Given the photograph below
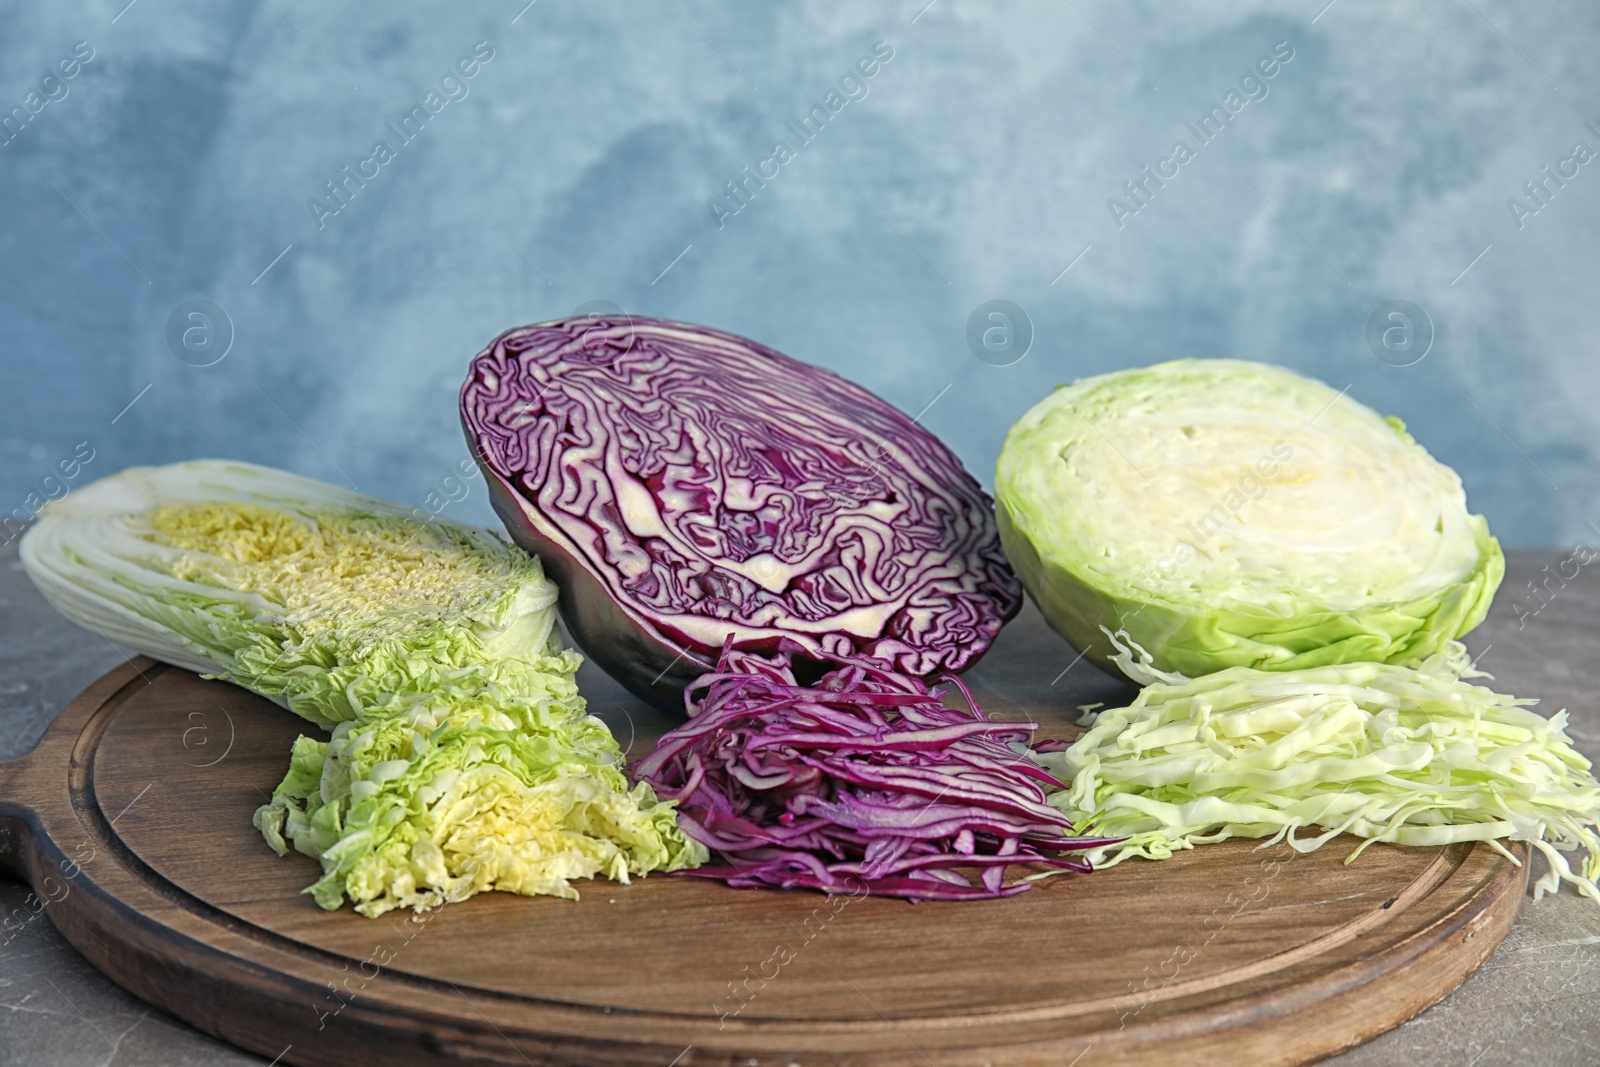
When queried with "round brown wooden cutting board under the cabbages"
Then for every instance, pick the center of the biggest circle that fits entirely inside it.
(132, 823)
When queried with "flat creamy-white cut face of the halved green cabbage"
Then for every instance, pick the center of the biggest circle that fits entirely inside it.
(1239, 482)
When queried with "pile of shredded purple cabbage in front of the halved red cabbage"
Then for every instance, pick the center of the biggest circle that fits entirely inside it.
(865, 783)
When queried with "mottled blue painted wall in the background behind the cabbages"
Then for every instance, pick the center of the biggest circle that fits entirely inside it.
(583, 162)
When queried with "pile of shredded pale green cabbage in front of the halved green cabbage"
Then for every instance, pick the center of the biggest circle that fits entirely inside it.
(1378, 751)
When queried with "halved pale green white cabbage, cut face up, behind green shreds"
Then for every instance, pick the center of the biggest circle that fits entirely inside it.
(1238, 514)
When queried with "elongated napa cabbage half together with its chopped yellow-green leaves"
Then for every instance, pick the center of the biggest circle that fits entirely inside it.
(462, 756)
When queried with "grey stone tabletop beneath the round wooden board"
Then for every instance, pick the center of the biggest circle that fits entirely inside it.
(1534, 1004)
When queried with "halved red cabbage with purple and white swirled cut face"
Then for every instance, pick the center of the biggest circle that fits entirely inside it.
(689, 487)
